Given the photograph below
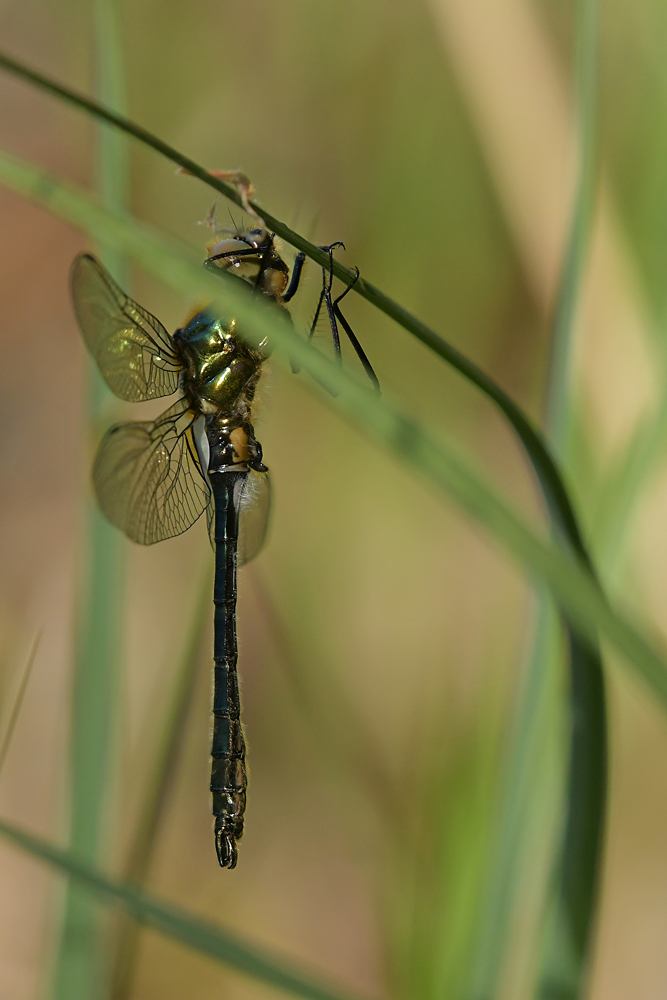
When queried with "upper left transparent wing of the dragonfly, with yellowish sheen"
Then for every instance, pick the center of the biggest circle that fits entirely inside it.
(134, 352)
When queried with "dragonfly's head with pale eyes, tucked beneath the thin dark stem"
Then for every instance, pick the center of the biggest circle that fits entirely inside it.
(252, 256)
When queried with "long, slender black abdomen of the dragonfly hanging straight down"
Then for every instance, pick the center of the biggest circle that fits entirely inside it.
(228, 776)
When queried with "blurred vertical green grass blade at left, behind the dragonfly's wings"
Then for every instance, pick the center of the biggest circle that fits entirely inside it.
(81, 963)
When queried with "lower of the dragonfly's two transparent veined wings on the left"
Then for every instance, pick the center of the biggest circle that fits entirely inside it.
(148, 479)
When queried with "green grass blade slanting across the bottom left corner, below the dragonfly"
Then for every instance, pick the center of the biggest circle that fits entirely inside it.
(203, 936)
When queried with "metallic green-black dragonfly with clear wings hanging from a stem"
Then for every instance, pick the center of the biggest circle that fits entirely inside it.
(154, 479)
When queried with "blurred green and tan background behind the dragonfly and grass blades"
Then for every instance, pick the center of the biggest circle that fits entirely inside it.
(384, 640)
